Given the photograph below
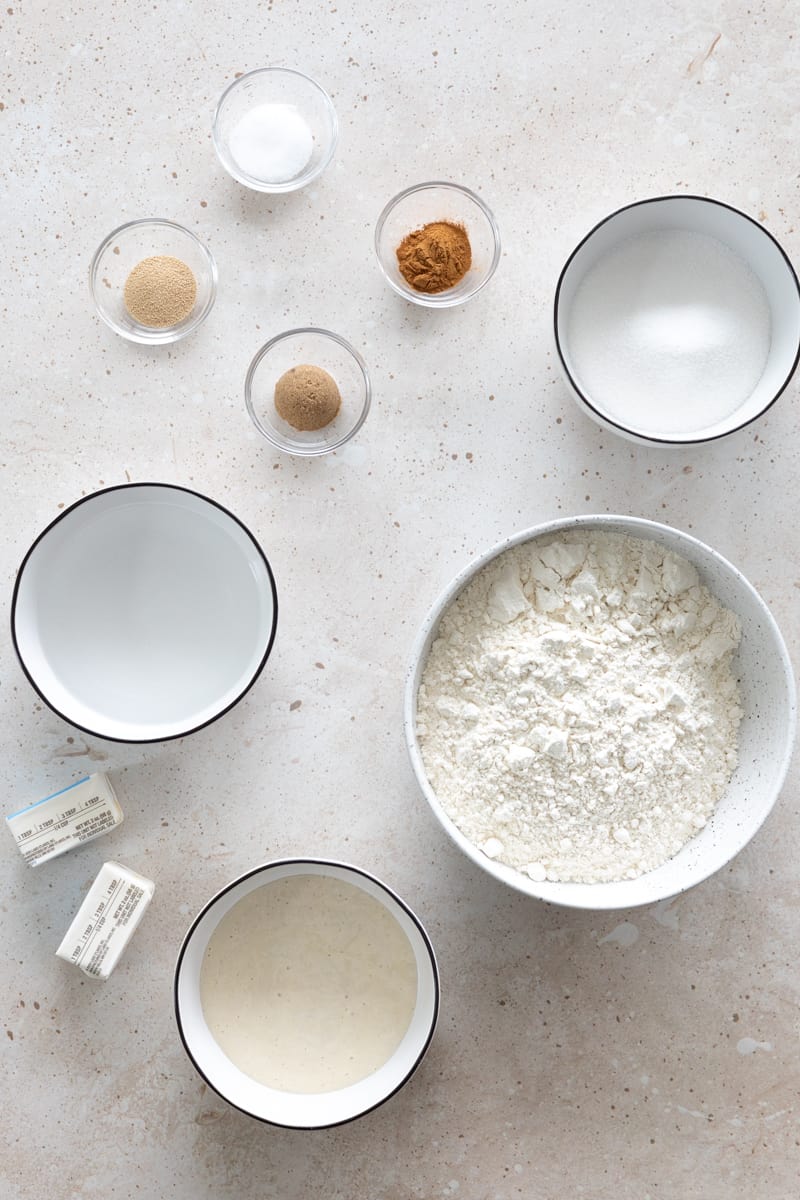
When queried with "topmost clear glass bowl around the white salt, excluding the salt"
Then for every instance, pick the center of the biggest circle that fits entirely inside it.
(276, 86)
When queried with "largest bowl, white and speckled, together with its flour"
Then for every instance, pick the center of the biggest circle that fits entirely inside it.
(600, 711)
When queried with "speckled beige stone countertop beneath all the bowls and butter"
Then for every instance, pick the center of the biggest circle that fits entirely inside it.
(651, 1054)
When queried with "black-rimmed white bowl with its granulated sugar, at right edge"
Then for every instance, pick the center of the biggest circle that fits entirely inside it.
(677, 321)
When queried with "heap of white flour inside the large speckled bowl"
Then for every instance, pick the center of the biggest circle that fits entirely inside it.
(578, 713)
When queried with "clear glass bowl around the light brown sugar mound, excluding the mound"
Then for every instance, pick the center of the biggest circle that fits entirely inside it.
(312, 347)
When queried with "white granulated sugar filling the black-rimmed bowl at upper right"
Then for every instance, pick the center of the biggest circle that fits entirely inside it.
(670, 333)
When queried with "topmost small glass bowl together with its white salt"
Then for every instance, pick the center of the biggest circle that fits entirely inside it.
(275, 130)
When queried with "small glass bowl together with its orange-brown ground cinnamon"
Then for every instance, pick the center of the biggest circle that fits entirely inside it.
(437, 244)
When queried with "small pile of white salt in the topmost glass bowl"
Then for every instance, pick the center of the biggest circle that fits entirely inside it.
(272, 143)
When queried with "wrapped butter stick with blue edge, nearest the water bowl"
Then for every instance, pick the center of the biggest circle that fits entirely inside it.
(76, 814)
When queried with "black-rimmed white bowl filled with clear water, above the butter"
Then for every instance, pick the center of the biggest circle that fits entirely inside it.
(143, 613)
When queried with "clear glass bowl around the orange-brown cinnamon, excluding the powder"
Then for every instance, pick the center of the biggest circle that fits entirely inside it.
(418, 207)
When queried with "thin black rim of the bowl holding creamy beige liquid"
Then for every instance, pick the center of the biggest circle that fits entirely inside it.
(310, 862)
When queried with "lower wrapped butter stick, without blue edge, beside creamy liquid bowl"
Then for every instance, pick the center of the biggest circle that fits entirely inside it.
(106, 921)
